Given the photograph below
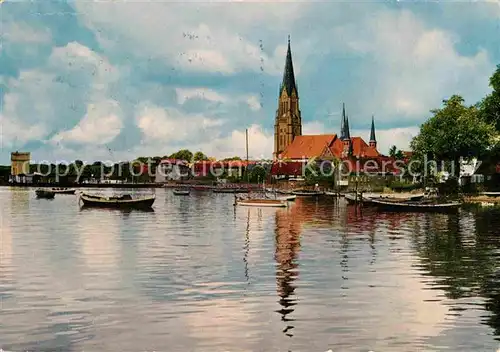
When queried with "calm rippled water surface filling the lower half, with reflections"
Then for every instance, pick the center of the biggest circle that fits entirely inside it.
(198, 274)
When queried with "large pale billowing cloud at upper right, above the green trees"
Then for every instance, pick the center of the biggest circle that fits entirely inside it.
(413, 66)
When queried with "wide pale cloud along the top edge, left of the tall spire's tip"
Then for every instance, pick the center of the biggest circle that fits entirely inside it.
(201, 37)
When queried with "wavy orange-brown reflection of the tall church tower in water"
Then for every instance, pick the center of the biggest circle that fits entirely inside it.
(287, 238)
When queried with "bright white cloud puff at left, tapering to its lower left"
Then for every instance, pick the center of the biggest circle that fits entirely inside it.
(100, 125)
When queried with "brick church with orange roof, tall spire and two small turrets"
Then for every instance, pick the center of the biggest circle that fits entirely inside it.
(291, 145)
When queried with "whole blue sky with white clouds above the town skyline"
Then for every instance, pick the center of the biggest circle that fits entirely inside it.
(115, 80)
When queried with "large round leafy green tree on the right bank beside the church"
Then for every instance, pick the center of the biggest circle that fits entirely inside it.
(452, 132)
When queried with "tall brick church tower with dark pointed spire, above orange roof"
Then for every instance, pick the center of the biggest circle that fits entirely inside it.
(288, 121)
